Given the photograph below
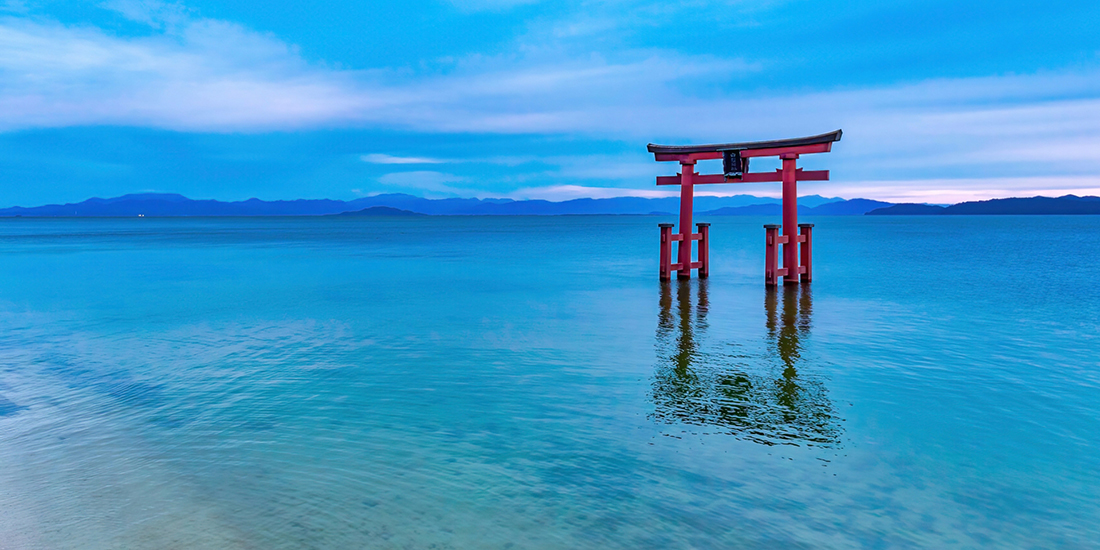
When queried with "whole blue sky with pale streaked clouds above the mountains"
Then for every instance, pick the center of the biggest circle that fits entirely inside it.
(941, 102)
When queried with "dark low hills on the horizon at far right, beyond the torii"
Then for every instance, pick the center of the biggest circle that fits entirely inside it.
(1066, 205)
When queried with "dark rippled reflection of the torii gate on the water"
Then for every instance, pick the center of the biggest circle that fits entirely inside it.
(731, 395)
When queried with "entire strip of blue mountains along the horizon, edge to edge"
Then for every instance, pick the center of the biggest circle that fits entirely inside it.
(168, 205)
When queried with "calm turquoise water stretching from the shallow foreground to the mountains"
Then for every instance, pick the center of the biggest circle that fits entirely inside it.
(529, 383)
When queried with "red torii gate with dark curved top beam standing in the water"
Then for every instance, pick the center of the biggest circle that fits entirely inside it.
(736, 170)
